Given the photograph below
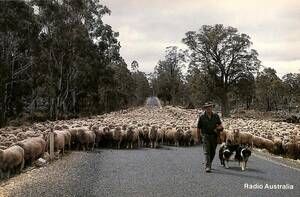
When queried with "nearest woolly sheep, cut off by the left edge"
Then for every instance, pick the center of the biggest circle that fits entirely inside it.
(11, 160)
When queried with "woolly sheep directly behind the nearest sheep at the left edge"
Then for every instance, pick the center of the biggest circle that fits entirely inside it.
(34, 148)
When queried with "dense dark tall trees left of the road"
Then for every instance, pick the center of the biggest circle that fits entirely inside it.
(59, 60)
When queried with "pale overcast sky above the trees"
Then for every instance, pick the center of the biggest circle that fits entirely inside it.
(147, 27)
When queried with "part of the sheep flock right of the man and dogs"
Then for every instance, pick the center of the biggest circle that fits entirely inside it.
(279, 138)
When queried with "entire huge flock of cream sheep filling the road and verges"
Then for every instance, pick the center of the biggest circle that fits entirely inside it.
(134, 128)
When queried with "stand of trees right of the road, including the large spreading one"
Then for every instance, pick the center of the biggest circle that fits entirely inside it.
(221, 67)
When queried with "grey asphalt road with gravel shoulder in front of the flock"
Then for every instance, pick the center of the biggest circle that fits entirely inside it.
(167, 171)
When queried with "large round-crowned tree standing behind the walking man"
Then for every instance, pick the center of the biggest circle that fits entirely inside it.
(223, 54)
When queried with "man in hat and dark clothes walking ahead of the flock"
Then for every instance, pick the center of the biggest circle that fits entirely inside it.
(209, 125)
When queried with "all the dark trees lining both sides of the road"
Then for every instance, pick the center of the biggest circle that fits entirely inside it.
(59, 60)
